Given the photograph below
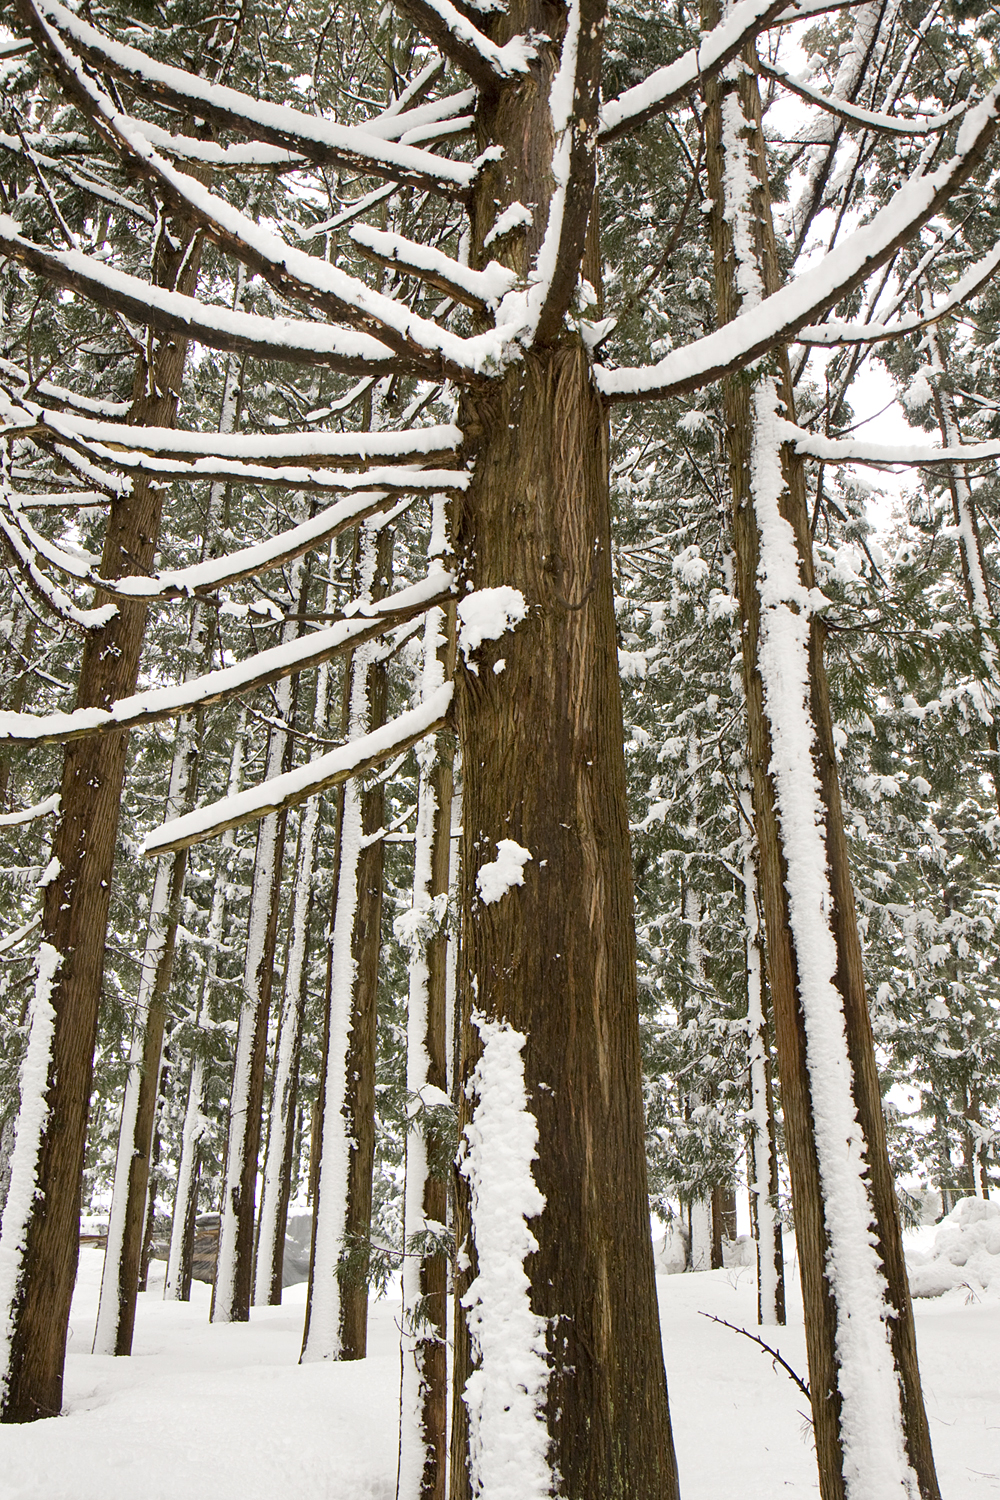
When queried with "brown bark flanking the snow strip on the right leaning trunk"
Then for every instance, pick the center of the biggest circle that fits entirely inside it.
(821, 1313)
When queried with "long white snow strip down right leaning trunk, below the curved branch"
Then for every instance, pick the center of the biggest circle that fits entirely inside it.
(875, 1456)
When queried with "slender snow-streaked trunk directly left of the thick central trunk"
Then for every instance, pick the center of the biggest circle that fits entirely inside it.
(424, 1436)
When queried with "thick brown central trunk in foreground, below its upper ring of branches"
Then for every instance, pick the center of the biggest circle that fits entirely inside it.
(552, 961)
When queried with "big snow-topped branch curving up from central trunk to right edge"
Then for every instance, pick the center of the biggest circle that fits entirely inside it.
(780, 317)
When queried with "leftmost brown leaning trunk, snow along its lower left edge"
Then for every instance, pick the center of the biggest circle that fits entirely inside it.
(41, 1225)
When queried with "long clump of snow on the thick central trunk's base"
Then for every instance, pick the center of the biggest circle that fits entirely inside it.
(509, 1438)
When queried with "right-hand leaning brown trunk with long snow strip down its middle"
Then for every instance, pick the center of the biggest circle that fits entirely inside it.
(870, 1427)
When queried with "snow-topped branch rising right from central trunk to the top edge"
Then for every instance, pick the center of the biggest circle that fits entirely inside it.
(669, 85)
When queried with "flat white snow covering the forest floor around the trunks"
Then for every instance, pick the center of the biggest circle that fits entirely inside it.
(226, 1412)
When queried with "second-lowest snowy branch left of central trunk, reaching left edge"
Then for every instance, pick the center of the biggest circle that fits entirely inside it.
(364, 623)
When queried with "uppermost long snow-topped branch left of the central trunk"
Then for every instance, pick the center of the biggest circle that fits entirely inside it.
(320, 142)
